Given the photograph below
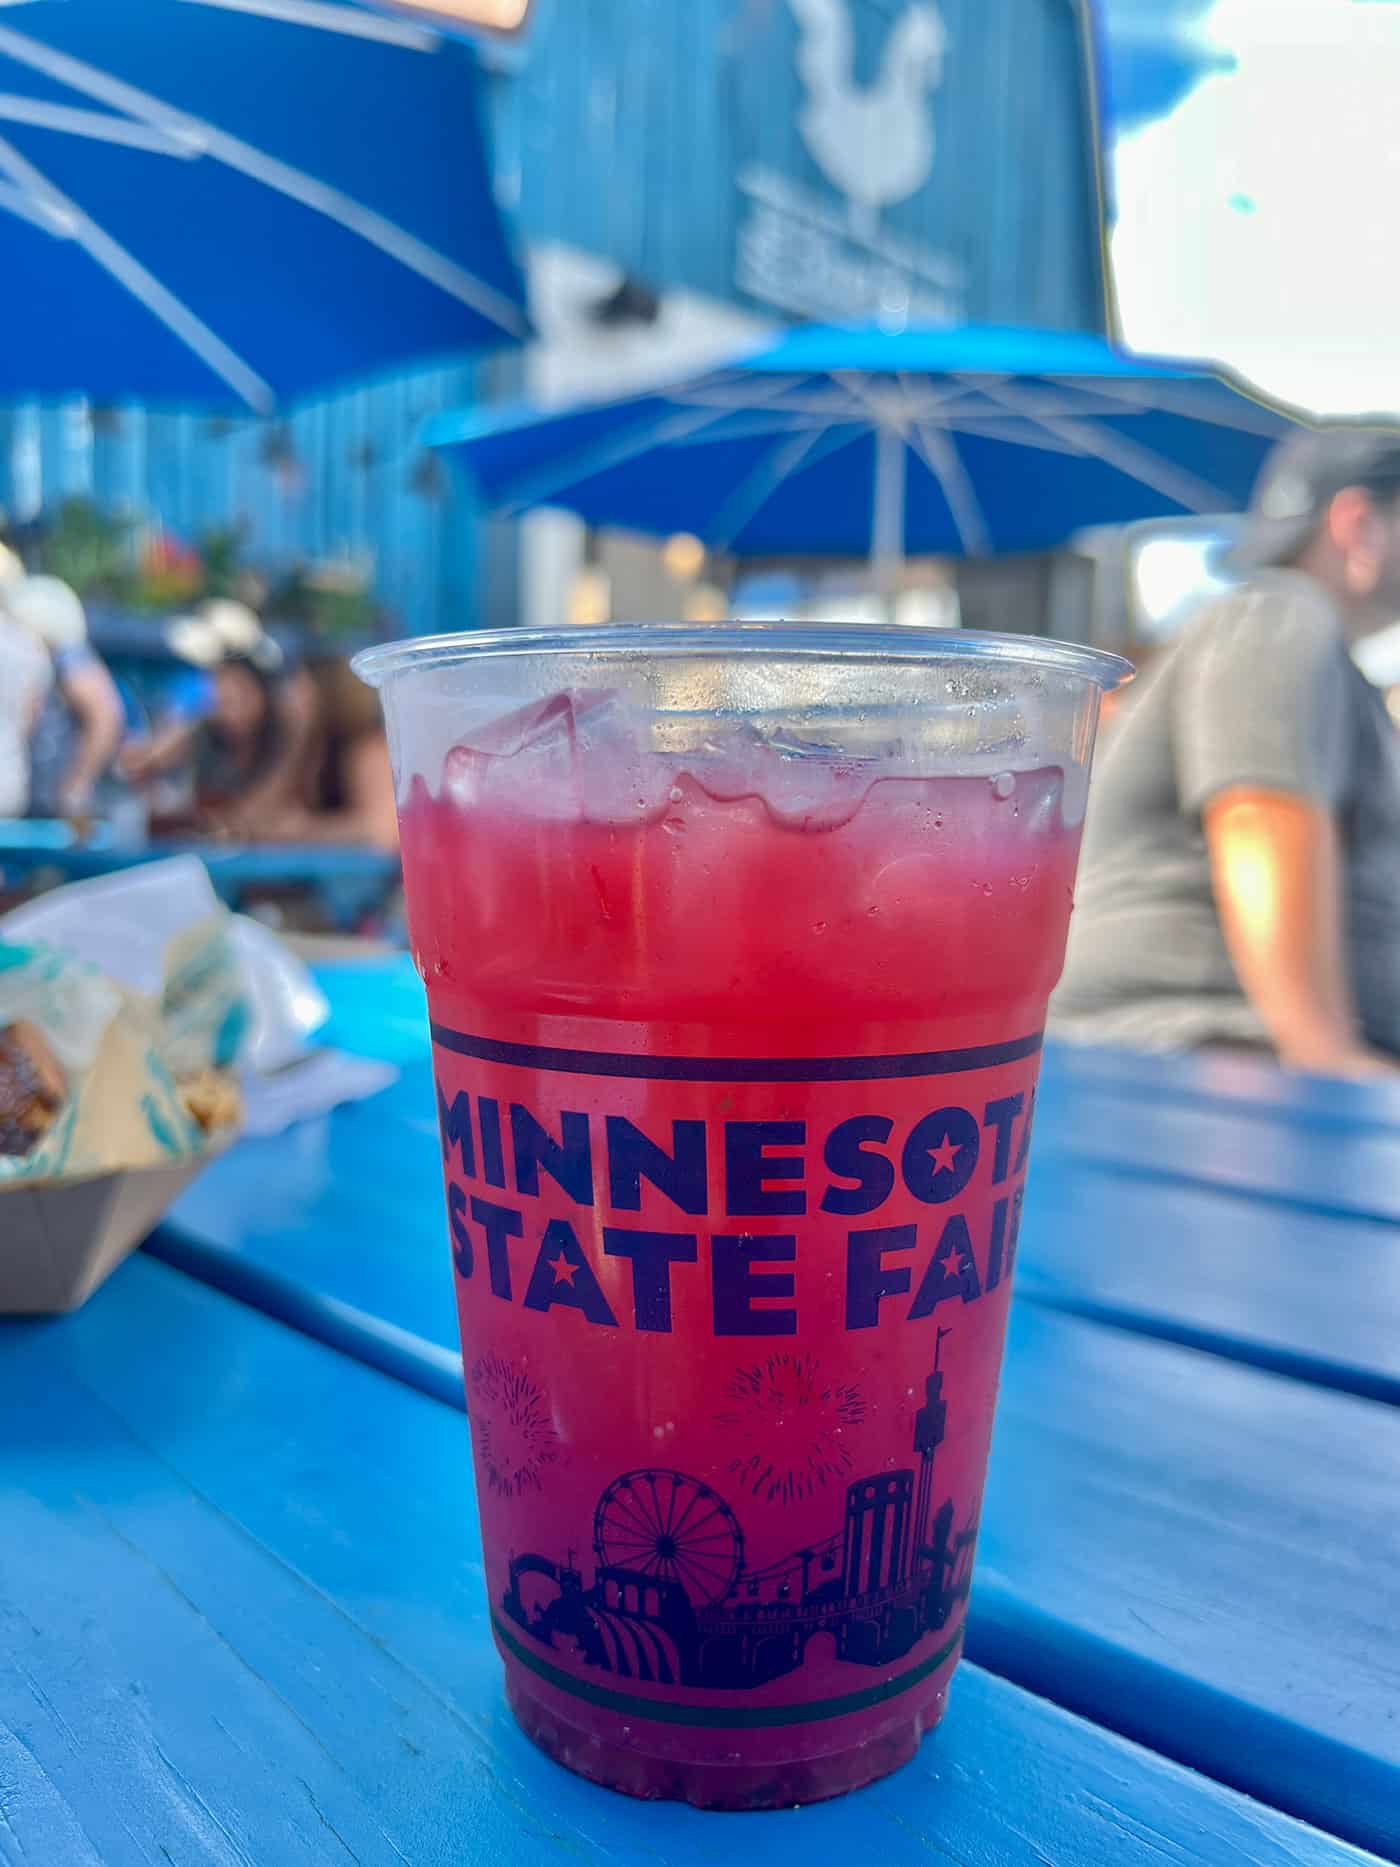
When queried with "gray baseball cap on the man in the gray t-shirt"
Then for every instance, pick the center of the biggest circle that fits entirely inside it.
(1302, 479)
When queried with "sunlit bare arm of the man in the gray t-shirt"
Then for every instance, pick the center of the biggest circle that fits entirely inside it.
(1278, 875)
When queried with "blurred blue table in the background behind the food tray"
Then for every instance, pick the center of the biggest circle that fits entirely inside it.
(350, 880)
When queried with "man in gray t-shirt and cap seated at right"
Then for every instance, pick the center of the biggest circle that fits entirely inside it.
(1240, 878)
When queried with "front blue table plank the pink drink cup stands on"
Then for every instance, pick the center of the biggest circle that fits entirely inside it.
(242, 1623)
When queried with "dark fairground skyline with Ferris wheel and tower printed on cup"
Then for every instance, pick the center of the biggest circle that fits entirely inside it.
(673, 1599)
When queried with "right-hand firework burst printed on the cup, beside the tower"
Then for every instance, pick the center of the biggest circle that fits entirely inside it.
(789, 1424)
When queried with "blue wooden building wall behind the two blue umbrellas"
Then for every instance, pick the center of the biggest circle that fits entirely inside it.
(656, 137)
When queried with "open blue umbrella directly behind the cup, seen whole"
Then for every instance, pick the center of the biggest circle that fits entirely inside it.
(858, 443)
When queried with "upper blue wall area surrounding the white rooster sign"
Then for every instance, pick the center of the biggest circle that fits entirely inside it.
(679, 105)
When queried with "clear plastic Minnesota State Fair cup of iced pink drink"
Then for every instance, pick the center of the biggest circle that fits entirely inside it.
(738, 946)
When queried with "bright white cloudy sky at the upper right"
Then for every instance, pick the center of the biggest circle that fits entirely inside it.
(1259, 223)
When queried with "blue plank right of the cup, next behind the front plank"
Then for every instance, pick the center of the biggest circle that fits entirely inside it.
(1207, 1558)
